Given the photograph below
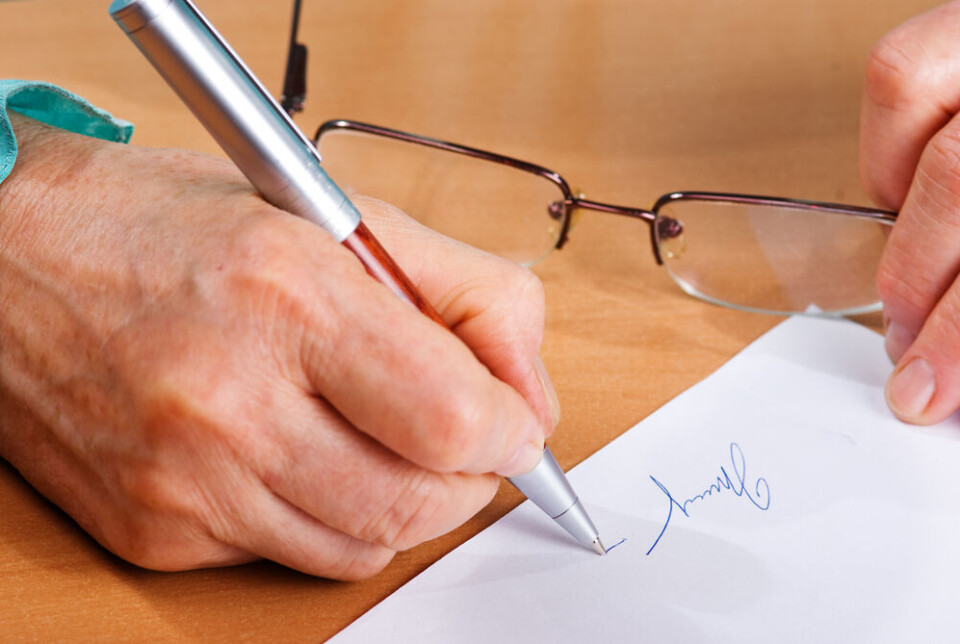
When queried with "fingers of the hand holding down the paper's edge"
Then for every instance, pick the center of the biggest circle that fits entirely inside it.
(910, 161)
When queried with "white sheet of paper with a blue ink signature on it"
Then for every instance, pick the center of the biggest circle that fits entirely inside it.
(829, 521)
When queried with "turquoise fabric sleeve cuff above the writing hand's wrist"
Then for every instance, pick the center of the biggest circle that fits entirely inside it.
(54, 106)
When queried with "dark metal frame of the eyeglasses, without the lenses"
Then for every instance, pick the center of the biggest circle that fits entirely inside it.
(661, 227)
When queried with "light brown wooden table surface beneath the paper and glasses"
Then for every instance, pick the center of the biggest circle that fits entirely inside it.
(627, 98)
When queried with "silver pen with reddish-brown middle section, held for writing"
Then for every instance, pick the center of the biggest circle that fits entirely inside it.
(284, 166)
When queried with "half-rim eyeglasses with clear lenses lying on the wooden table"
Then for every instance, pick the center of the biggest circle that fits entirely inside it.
(754, 253)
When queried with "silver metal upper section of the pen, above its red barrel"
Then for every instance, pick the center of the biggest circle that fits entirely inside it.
(234, 107)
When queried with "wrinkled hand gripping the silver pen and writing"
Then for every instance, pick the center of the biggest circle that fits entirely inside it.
(200, 379)
